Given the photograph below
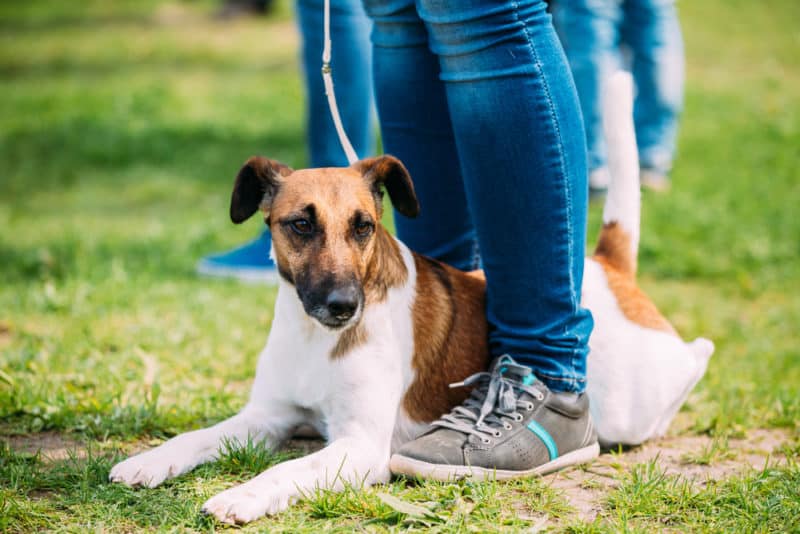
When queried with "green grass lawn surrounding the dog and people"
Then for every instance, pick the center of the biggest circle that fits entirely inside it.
(122, 125)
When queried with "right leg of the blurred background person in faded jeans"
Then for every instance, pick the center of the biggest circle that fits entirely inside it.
(652, 31)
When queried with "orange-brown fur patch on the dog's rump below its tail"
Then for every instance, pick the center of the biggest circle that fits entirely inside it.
(633, 302)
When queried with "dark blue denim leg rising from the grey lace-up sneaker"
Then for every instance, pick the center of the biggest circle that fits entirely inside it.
(521, 145)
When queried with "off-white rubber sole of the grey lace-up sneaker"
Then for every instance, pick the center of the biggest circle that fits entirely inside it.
(403, 465)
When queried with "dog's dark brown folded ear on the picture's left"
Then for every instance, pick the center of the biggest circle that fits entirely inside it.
(255, 187)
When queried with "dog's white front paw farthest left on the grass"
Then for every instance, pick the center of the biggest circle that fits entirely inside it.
(149, 468)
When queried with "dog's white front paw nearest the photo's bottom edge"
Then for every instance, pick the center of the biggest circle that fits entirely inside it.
(246, 503)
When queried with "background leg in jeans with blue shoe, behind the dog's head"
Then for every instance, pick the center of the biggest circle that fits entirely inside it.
(353, 81)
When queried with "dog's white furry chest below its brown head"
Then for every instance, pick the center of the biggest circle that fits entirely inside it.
(299, 366)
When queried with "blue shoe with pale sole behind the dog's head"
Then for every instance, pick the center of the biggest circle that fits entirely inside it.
(248, 263)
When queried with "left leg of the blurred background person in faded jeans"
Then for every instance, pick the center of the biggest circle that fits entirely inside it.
(588, 30)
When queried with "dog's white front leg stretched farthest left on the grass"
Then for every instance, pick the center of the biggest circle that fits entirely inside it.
(184, 452)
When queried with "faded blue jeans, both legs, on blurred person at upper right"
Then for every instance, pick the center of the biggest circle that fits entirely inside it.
(592, 32)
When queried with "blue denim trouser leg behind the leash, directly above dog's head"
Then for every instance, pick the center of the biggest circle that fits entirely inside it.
(352, 78)
